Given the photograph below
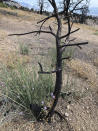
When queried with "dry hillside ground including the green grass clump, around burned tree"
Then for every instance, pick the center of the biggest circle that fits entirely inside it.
(19, 75)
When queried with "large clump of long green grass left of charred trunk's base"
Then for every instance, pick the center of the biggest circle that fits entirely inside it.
(24, 87)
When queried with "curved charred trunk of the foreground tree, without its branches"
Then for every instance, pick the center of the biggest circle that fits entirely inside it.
(58, 84)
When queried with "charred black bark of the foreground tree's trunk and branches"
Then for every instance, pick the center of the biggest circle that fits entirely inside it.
(59, 48)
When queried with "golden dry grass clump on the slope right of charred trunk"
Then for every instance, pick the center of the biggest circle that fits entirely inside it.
(83, 70)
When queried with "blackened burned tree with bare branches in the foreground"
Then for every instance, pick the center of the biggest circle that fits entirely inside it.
(69, 6)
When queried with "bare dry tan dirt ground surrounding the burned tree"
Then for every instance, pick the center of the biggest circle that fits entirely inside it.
(82, 111)
